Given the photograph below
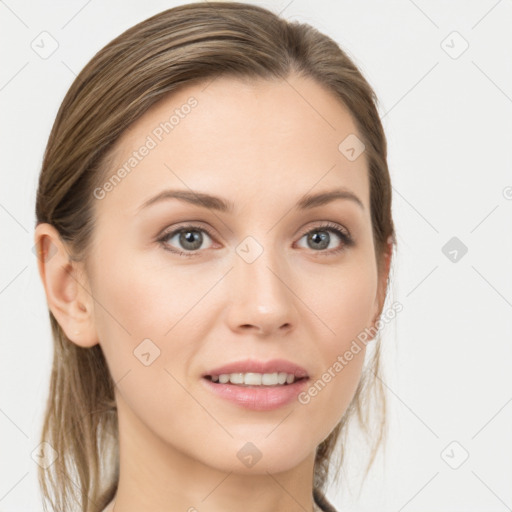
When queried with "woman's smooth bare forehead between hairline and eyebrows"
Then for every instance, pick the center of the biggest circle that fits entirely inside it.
(245, 139)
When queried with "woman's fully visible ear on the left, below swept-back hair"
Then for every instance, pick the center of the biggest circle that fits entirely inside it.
(66, 287)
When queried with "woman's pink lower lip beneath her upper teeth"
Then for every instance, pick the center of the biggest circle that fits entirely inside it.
(260, 398)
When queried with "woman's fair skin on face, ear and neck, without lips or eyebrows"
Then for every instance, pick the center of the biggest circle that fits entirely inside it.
(263, 145)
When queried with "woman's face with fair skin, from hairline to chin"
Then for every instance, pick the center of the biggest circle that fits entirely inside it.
(263, 280)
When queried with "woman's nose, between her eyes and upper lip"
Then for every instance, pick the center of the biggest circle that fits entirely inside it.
(262, 298)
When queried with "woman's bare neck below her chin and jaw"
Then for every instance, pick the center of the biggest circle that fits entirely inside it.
(156, 476)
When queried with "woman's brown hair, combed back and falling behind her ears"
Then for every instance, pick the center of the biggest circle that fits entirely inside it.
(175, 48)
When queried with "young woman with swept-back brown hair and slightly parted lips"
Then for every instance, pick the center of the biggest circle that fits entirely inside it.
(215, 231)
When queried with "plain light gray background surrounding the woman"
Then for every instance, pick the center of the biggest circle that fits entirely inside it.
(448, 119)
